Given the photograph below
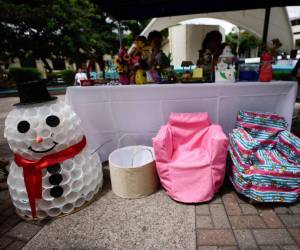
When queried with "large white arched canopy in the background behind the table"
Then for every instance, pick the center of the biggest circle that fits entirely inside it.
(251, 20)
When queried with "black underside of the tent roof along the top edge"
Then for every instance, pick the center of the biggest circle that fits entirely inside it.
(142, 9)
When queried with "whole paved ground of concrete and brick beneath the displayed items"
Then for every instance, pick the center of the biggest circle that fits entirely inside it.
(155, 222)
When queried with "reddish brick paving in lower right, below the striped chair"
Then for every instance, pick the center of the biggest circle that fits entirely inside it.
(230, 222)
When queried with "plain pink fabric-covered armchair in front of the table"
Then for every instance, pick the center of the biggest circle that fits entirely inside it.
(190, 156)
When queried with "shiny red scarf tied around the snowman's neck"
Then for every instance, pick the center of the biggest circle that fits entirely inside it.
(32, 170)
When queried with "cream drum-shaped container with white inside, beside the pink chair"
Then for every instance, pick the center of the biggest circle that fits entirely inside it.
(133, 171)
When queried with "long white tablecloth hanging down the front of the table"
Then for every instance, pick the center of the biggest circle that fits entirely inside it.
(131, 115)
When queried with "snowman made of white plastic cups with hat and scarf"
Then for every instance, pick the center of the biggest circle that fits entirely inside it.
(53, 172)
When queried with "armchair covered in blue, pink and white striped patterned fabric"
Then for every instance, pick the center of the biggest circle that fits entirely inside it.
(265, 158)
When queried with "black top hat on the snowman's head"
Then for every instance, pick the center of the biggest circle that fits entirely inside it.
(33, 92)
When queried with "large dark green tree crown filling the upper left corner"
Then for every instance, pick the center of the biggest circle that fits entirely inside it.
(71, 29)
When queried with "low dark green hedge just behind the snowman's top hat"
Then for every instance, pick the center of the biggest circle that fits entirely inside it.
(24, 74)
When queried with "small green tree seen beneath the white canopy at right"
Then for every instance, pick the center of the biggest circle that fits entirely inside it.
(247, 41)
